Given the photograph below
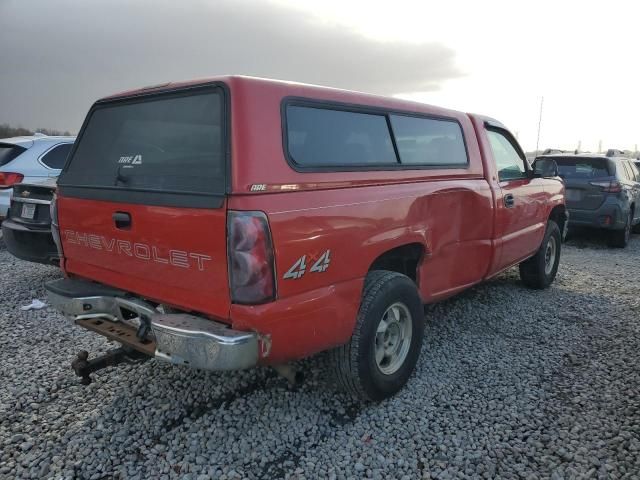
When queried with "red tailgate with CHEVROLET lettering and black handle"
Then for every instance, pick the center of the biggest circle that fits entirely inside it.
(175, 256)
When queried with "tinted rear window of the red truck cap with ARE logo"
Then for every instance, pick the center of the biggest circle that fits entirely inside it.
(171, 143)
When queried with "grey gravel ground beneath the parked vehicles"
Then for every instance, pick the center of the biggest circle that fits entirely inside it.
(510, 383)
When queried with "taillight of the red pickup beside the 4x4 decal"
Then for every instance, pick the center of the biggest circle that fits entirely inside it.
(251, 269)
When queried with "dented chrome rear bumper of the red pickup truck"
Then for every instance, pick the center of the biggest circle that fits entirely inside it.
(176, 338)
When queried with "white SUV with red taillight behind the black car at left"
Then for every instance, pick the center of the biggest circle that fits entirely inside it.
(31, 159)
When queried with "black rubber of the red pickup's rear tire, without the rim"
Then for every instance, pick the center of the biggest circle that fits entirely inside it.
(354, 364)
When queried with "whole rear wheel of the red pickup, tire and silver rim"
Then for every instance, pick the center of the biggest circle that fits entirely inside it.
(386, 342)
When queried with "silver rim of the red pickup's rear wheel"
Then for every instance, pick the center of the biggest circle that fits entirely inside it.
(393, 338)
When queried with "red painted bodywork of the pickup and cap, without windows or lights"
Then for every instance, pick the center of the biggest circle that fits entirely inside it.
(458, 216)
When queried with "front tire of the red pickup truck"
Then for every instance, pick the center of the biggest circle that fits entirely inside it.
(533, 271)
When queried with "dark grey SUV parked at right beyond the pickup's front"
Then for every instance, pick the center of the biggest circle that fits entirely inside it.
(602, 191)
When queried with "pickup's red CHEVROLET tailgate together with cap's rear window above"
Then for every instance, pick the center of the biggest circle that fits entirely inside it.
(142, 204)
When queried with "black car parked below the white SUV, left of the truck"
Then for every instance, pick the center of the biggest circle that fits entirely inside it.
(27, 228)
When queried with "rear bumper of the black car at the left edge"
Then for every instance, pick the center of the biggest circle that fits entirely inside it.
(31, 244)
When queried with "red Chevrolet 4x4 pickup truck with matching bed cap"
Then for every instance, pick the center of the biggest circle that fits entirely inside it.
(236, 221)
